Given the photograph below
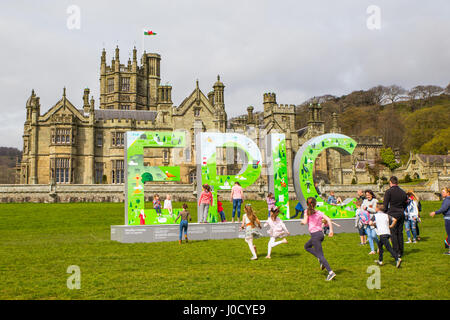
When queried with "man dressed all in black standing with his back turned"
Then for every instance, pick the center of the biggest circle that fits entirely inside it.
(395, 202)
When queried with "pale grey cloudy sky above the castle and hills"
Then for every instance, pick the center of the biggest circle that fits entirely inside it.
(296, 49)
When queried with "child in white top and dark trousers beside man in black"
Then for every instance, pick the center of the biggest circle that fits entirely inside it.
(381, 220)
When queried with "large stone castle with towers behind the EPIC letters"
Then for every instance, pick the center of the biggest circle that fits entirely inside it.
(84, 145)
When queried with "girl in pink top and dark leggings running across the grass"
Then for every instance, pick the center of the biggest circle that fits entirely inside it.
(314, 218)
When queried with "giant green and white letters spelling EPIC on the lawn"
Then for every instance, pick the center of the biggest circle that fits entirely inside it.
(207, 144)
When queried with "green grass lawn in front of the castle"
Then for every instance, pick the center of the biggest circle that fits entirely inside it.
(39, 242)
